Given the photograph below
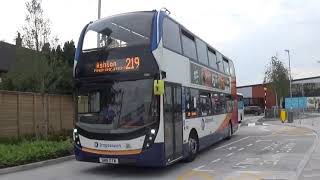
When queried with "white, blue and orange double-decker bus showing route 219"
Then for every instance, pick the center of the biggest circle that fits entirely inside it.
(149, 92)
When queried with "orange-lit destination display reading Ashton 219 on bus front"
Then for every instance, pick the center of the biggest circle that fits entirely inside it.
(118, 65)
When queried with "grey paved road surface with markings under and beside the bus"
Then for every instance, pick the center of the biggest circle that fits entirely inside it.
(259, 150)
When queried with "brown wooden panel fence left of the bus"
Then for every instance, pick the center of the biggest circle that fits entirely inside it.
(31, 113)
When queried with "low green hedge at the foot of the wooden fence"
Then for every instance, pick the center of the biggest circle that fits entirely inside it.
(32, 149)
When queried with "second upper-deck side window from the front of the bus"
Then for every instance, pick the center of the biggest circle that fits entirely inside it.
(188, 44)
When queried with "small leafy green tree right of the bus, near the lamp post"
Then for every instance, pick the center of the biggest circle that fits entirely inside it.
(277, 78)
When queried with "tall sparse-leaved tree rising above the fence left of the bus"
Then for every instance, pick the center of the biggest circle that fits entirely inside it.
(36, 31)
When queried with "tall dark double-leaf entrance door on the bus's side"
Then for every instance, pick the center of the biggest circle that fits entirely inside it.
(172, 122)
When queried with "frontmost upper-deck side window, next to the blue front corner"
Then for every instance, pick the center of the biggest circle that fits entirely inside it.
(171, 35)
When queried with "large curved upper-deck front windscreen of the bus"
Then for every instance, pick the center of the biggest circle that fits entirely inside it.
(119, 31)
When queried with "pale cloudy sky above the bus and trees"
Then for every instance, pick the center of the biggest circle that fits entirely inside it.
(249, 32)
